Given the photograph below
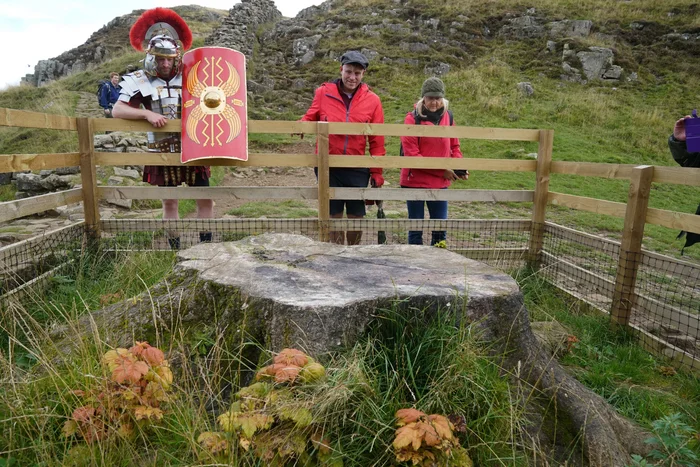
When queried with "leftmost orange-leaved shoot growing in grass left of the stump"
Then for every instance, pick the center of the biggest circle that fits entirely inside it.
(138, 386)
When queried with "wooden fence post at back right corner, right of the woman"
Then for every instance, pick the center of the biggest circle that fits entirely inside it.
(539, 206)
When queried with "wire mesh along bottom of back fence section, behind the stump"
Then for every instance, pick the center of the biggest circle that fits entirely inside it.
(500, 243)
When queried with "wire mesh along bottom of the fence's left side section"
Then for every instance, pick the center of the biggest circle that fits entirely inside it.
(31, 260)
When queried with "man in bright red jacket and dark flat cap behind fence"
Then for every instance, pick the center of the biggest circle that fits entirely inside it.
(348, 99)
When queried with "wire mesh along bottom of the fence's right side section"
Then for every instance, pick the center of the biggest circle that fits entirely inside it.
(659, 296)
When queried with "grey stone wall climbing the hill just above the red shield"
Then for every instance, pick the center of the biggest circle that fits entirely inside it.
(238, 31)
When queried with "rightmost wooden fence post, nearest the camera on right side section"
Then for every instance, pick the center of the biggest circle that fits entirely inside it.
(631, 244)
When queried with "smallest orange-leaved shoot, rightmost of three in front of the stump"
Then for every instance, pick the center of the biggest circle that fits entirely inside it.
(427, 440)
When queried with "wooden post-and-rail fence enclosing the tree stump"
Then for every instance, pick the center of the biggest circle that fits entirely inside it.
(635, 212)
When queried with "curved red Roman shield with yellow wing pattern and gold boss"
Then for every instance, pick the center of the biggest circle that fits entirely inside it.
(214, 107)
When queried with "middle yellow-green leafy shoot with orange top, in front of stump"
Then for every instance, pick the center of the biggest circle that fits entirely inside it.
(272, 418)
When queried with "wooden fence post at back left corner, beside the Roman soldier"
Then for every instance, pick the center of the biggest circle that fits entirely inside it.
(88, 173)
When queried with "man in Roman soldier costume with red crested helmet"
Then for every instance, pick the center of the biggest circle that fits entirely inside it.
(153, 94)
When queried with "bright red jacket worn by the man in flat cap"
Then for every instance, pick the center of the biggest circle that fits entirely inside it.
(365, 107)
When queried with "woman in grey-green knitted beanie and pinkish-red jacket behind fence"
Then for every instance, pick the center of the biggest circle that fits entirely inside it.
(431, 109)
